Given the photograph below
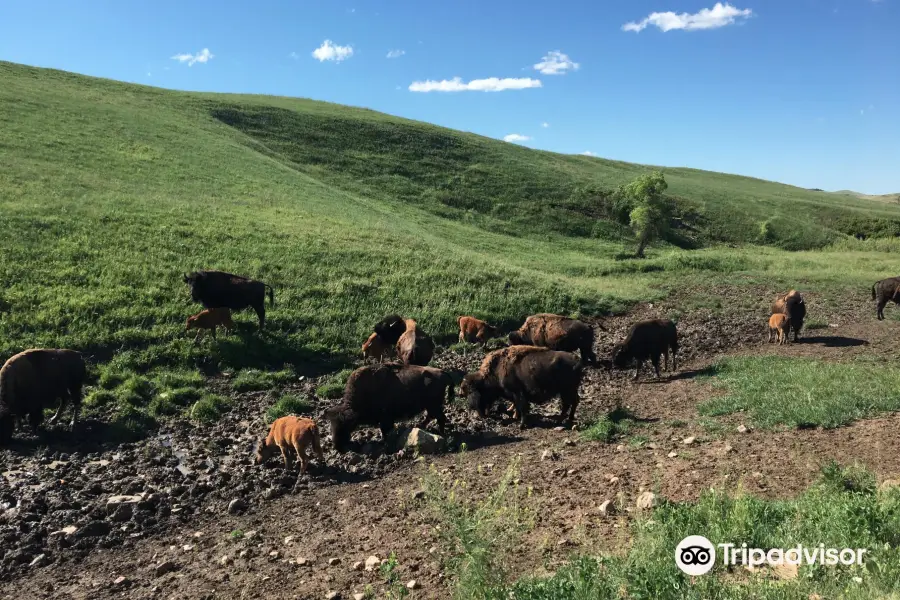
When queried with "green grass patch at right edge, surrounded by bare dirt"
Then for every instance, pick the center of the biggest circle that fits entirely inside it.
(799, 392)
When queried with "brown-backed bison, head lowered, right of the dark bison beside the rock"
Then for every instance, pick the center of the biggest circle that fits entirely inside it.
(525, 375)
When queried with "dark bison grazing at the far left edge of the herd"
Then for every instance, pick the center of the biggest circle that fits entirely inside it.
(33, 380)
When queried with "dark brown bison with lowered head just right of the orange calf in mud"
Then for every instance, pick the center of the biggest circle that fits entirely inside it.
(381, 395)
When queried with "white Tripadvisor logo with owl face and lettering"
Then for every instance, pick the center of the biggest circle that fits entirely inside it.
(696, 555)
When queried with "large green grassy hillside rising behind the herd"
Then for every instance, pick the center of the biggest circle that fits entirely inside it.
(110, 191)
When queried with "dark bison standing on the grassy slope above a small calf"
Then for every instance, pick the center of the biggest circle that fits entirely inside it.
(217, 289)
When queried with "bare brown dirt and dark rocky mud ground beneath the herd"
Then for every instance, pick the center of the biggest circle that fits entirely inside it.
(307, 537)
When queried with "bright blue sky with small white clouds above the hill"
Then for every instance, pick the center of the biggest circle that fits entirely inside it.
(801, 91)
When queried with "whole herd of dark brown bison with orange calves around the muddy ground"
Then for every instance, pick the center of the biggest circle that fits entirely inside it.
(539, 364)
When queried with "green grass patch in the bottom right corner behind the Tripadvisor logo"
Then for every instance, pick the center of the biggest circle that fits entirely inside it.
(830, 512)
